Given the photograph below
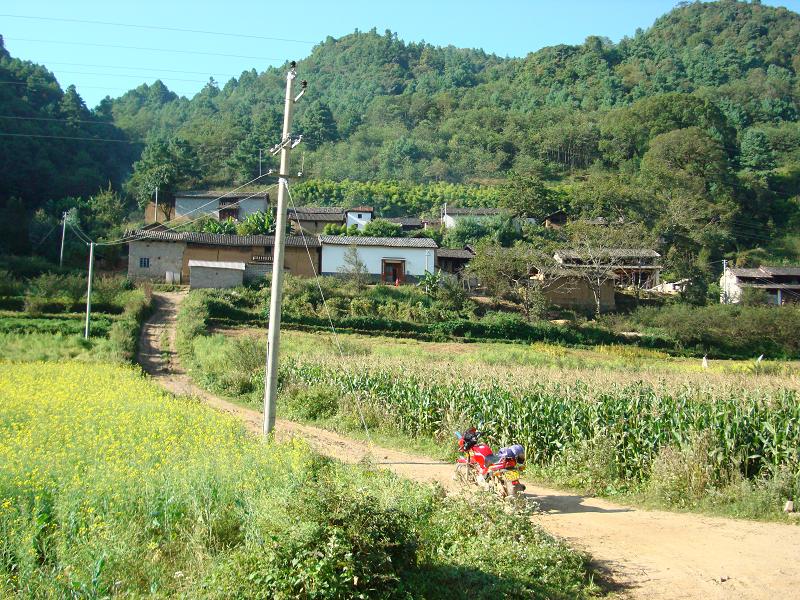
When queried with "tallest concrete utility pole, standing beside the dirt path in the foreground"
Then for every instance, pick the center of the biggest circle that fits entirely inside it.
(273, 335)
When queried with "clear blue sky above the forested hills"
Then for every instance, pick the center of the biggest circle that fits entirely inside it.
(95, 60)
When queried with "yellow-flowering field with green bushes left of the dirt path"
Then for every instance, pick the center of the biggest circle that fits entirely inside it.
(111, 487)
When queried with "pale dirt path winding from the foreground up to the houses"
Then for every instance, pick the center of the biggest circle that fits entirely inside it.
(649, 554)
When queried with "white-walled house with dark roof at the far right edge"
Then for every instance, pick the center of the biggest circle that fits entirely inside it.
(782, 284)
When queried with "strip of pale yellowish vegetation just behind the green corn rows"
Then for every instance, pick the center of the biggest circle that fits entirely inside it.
(530, 364)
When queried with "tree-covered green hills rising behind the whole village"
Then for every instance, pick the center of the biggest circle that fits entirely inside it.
(689, 128)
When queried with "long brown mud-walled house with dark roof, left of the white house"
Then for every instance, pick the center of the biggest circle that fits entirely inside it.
(163, 255)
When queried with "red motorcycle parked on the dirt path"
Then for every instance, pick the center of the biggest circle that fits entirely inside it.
(479, 465)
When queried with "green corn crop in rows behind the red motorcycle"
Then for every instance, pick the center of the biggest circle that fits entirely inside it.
(754, 432)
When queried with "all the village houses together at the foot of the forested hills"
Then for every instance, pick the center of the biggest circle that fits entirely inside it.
(207, 260)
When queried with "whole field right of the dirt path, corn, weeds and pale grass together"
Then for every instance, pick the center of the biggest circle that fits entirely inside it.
(630, 433)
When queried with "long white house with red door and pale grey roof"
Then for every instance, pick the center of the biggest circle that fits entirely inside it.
(392, 260)
